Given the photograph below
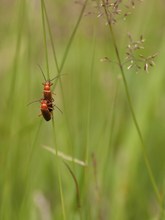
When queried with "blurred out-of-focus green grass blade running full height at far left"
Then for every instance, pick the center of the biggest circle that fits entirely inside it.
(5, 196)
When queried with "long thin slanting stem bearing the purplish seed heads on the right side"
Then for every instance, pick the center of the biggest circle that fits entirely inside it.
(147, 163)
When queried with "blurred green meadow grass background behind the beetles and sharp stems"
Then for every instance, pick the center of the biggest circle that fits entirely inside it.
(96, 124)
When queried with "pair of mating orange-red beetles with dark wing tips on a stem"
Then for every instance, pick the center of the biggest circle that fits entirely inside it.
(47, 102)
